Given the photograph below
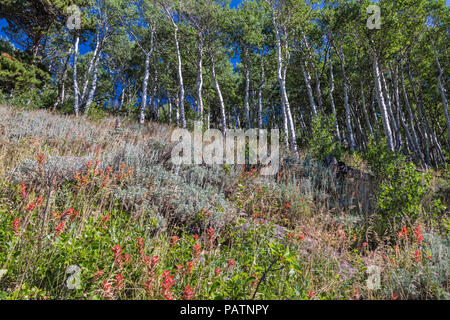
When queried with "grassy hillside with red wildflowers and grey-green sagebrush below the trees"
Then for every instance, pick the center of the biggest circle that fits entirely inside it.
(109, 203)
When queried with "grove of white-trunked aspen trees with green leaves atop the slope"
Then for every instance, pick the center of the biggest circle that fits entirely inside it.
(265, 64)
